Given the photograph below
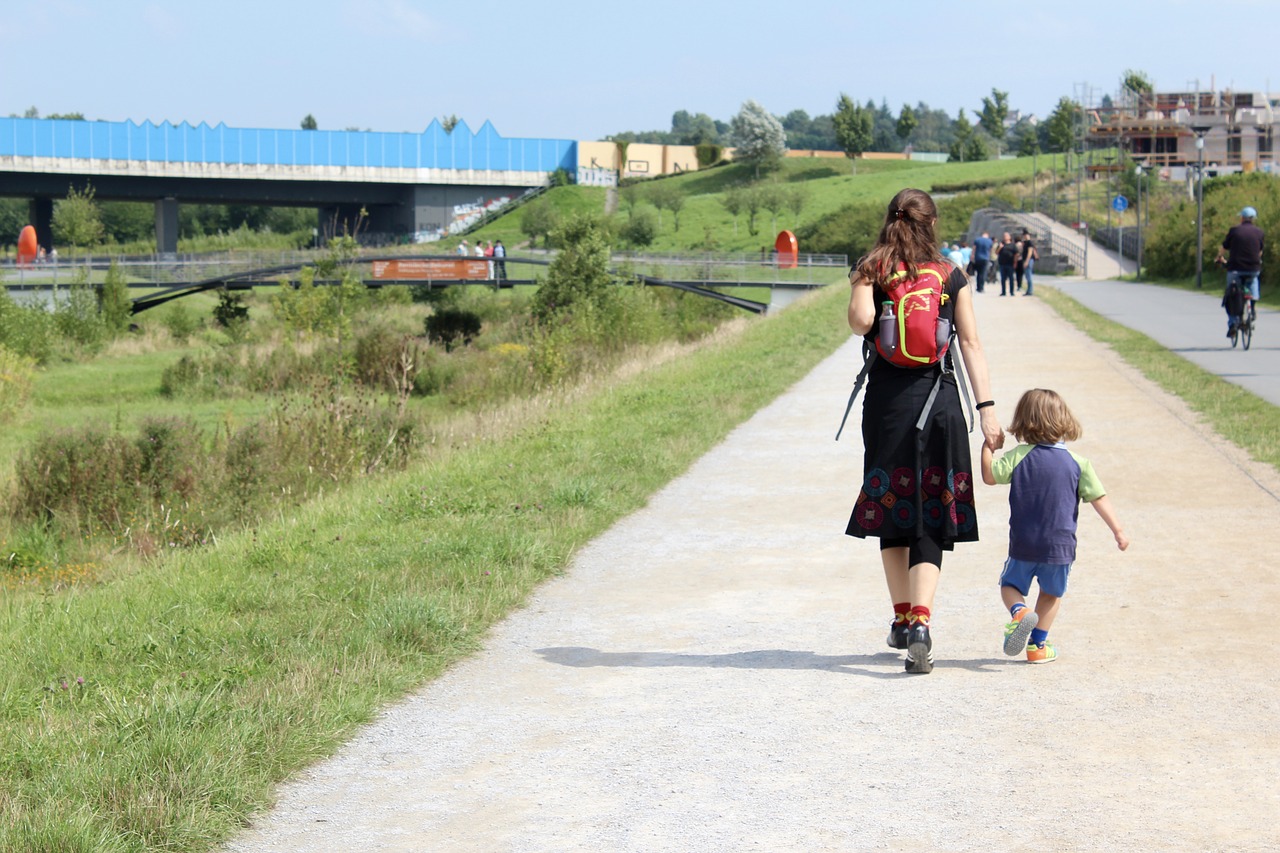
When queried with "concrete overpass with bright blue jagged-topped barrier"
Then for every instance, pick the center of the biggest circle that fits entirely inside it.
(408, 183)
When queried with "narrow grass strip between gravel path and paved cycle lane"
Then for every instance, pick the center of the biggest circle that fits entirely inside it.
(1236, 414)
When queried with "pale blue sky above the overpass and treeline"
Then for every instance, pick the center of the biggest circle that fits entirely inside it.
(582, 71)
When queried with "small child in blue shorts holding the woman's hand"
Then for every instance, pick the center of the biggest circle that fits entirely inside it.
(1048, 482)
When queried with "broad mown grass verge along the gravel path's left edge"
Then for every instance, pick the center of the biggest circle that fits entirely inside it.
(212, 676)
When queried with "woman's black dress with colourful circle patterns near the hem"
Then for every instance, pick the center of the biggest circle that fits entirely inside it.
(917, 483)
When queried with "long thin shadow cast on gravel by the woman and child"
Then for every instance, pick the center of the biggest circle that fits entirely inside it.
(889, 664)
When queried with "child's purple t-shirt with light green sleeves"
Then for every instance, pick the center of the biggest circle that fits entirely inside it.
(1048, 483)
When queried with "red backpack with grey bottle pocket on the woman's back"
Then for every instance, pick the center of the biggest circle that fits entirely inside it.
(913, 334)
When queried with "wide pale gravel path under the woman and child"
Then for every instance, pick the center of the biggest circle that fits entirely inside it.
(712, 673)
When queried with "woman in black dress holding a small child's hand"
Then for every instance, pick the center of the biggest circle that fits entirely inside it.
(917, 490)
